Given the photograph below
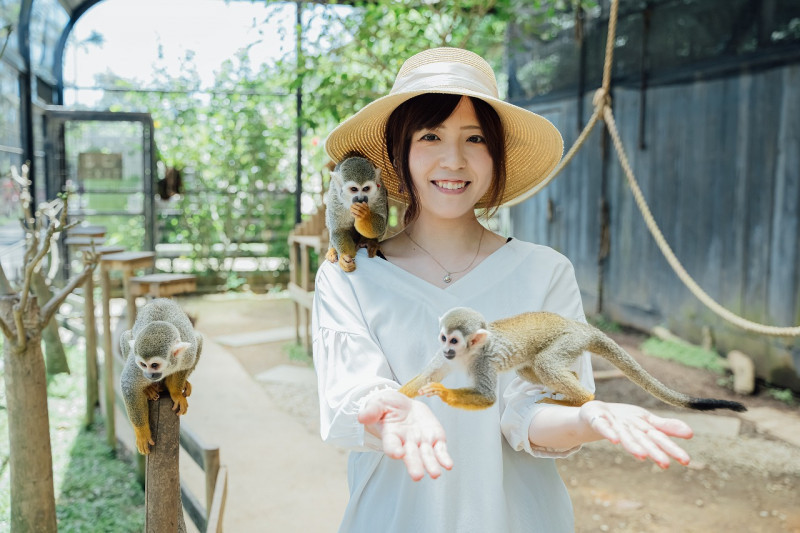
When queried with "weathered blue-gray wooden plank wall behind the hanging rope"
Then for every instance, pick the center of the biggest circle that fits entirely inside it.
(720, 169)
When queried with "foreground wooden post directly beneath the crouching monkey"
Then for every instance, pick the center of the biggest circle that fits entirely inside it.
(163, 509)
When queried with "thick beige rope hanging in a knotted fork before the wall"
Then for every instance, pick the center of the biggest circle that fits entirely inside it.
(602, 109)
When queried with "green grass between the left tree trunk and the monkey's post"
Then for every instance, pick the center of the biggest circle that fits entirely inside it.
(95, 490)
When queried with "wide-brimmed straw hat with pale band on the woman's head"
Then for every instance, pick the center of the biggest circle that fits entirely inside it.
(533, 145)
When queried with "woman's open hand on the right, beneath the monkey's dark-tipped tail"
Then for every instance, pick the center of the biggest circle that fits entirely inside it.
(639, 431)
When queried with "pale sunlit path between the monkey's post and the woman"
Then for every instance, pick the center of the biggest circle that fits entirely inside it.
(281, 476)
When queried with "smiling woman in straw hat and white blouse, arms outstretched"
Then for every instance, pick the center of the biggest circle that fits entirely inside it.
(446, 146)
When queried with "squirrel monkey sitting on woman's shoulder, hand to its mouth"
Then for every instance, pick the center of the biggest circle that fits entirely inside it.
(356, 210)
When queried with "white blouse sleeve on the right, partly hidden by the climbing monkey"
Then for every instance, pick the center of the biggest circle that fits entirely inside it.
(520, 398)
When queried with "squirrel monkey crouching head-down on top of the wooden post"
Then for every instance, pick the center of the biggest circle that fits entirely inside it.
(161, 349)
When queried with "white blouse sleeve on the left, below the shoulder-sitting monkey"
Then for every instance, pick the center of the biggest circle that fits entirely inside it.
(348, 361)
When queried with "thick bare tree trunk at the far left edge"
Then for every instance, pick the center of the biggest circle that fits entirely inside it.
(33, 506)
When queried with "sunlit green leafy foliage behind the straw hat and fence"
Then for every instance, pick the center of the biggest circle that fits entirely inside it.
(237, 140)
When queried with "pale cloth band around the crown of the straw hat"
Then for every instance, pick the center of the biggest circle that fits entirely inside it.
(445, 75)
